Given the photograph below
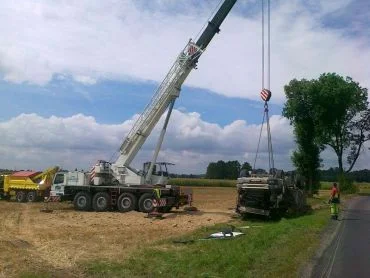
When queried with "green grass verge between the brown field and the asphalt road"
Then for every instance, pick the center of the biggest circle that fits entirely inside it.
(269, 249)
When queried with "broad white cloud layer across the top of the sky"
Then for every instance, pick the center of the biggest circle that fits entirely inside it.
(132, 40)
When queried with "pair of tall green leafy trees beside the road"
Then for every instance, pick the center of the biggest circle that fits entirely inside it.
(331, 111)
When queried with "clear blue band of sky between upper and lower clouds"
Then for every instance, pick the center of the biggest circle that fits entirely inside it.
(112, 102)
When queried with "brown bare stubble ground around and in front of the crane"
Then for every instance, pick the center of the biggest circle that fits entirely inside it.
(35, 242)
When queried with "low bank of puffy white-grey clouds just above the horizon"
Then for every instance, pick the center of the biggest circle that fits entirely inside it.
(33, 142)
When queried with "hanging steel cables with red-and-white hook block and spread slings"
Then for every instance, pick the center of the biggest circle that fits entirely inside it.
(266, 93)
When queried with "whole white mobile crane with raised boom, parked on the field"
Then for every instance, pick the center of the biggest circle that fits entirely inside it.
(117, 184)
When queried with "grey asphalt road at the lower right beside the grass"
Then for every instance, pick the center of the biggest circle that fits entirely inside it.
(348, 255)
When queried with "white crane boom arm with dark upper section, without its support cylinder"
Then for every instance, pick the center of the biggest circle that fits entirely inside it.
(170, 87)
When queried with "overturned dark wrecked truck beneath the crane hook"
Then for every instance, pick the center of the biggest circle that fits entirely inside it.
(269, 195)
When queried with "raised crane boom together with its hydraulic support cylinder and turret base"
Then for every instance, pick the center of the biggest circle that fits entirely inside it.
(164, 98)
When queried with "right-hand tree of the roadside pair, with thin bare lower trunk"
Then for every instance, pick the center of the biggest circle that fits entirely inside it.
(341, 116)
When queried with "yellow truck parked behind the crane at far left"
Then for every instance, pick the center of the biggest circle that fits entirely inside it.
(28, 185)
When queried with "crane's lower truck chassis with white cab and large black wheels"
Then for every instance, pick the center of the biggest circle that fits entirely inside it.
(77, 187)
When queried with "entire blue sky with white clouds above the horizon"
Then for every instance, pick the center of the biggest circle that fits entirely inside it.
(94, 65)
